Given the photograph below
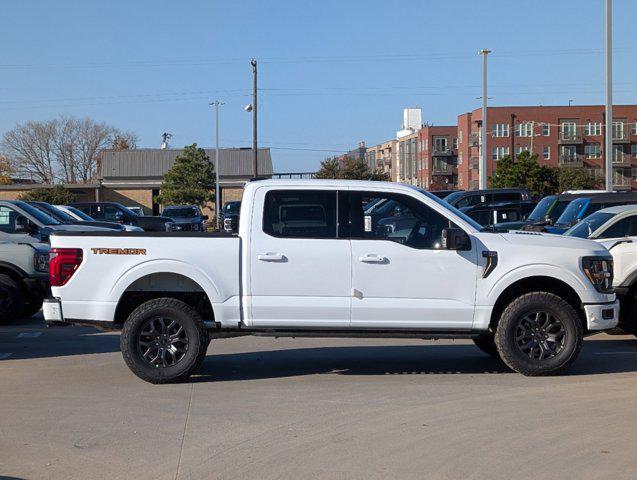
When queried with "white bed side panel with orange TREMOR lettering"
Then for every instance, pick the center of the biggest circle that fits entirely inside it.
(115, 263)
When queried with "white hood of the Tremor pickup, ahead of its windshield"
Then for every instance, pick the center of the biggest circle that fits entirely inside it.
(537, 240)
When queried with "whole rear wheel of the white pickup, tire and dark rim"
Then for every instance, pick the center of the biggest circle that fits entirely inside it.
(164, 341)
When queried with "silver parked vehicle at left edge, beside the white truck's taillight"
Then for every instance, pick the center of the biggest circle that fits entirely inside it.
(24, 278)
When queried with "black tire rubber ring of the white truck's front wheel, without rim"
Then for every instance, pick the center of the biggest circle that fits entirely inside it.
(511, 317)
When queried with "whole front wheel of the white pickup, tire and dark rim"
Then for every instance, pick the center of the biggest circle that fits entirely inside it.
(539, 334)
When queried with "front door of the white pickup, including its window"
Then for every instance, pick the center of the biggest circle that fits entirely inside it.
(401, 276)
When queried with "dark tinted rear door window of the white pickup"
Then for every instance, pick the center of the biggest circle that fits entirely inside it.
(300, 214)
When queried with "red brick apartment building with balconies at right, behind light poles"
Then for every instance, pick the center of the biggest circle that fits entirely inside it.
(559, 135)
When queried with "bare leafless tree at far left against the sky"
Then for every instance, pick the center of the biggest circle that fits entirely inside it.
(65, 149)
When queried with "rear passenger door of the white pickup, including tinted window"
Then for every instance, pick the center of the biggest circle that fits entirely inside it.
(299, 266)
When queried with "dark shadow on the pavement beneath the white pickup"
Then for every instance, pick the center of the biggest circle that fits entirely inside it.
(598, 357)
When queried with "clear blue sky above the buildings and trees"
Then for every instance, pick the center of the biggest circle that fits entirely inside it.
(331, 72)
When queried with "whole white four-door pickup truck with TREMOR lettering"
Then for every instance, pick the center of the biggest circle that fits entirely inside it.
(335, 258)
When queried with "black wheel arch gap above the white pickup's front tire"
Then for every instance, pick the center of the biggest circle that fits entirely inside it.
(538, 283)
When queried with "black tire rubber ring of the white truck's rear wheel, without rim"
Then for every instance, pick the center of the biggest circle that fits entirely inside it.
(167, 308)
